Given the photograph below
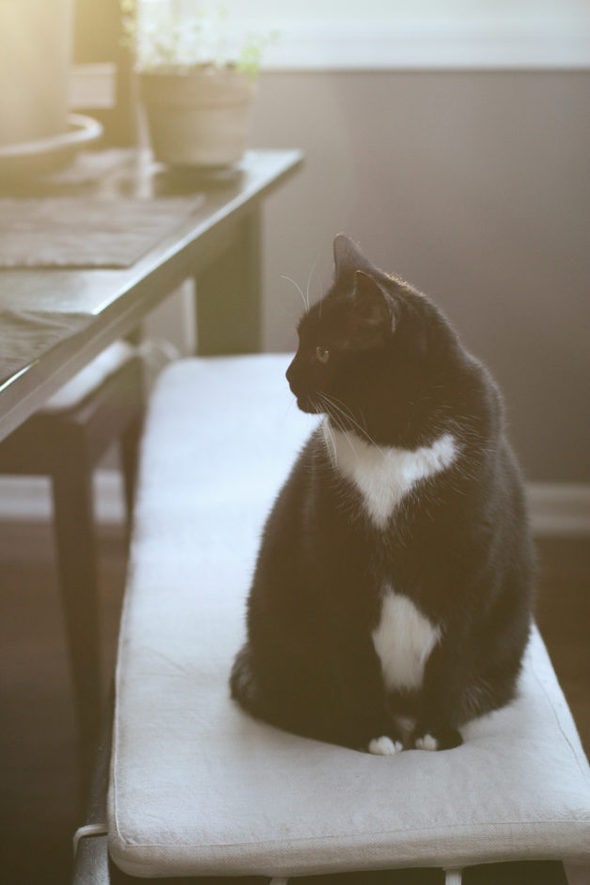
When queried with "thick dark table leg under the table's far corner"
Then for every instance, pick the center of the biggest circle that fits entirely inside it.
(229, 297)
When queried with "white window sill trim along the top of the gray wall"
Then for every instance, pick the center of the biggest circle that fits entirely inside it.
(434, 44)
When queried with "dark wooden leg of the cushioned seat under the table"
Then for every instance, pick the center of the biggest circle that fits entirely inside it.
(77, 565)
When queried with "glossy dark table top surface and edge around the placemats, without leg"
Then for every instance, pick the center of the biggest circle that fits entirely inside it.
(116, 300)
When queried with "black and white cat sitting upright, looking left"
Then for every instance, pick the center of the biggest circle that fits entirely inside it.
(391, 601)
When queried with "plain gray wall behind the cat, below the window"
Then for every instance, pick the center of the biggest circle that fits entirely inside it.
(476, 188)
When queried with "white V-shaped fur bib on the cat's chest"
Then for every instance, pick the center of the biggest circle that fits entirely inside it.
(384, 475)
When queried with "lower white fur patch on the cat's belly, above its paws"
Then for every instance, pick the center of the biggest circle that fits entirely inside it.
(403, 640)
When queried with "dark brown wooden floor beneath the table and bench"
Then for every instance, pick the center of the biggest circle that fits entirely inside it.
(38, 797)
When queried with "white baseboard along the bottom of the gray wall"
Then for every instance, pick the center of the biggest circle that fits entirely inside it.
(557, 509)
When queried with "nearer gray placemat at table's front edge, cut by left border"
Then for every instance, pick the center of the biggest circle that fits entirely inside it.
(27, 334)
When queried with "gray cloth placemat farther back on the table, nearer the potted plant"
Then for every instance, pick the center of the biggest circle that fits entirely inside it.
(86, 232)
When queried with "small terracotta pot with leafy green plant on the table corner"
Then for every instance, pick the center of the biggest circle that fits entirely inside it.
(196, 86)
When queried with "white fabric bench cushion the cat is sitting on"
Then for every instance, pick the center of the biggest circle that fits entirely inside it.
(198, 787)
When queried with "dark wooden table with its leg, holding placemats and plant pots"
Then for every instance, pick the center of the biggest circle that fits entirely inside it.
(218, 245)
